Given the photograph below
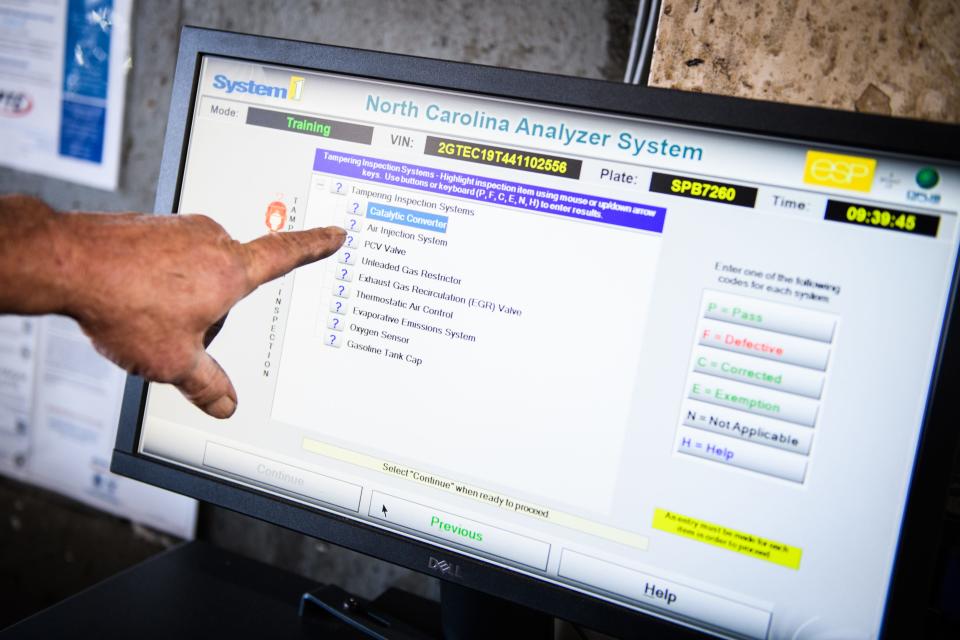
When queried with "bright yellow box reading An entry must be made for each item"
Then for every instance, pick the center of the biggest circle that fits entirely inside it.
(719, 536)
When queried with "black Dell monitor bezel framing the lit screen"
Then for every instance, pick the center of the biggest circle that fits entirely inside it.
(914, 568)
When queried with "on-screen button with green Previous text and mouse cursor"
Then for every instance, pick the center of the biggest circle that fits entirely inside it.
(452, 528)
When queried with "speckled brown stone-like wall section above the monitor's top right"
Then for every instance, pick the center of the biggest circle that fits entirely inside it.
(890, 57)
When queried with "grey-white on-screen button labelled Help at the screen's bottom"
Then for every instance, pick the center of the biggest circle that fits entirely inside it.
(665, 595)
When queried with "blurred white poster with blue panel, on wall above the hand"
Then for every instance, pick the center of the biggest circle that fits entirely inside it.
(62, 86)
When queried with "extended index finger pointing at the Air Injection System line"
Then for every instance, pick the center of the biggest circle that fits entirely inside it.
(276, 254)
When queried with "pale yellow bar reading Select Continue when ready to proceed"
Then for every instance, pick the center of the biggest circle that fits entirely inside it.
(483, 495)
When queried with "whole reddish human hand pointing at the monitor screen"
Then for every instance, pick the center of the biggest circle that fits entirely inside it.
(147, 288)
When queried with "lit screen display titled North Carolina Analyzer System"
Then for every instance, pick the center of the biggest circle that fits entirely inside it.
(677, 369)
